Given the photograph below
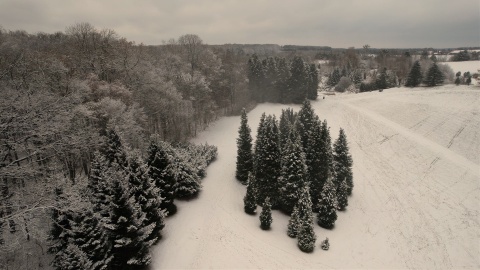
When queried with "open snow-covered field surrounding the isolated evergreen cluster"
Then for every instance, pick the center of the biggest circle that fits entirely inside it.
(415, 203)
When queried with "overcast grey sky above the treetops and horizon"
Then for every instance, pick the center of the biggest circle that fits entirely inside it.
(335, 23)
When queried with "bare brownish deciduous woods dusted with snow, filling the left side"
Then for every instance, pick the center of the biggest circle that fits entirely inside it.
(61, 93)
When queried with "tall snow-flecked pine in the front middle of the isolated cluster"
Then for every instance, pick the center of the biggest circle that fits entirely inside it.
(293, 172)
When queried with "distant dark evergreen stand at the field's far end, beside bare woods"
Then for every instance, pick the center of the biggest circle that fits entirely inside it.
(274, 79)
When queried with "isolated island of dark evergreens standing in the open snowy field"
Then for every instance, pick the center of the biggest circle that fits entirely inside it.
(295, 169)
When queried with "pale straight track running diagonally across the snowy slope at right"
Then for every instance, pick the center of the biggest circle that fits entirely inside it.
(441, 151)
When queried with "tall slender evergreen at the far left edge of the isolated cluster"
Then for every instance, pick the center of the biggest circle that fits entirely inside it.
(244, 149)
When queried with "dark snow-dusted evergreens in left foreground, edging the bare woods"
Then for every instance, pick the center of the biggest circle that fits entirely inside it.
(123, 205)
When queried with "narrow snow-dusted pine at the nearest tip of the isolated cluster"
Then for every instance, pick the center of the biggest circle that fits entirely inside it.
(306, 235)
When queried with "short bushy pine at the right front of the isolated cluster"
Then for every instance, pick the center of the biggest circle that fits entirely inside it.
(327, 206)
